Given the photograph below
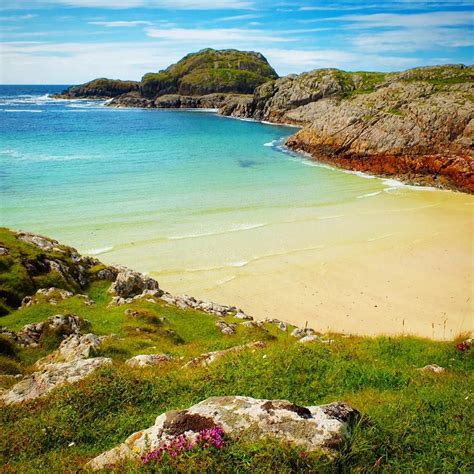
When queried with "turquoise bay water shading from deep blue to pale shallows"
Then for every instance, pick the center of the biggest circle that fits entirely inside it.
(104, 179)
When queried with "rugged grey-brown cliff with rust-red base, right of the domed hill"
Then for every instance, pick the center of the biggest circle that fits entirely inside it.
(416, 125)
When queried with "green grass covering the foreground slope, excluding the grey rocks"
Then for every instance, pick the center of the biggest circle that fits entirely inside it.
(412, 421)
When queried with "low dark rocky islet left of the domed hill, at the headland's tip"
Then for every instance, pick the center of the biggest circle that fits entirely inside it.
(98, 89)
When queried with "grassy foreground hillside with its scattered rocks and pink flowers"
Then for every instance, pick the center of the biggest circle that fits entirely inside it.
(91, 355)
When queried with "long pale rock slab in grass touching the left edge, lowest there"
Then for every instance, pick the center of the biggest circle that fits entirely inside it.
(40, 383)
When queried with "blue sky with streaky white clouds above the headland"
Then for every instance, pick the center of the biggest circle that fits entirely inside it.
(73, 41)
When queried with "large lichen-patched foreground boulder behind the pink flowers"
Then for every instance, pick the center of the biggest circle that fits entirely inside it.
(311, 428)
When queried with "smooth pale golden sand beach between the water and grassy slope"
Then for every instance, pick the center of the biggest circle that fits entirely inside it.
(400, 262)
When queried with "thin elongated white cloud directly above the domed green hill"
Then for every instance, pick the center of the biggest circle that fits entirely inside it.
(214, 36)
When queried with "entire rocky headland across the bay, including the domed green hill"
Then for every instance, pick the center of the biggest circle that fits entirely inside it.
(416, 125)
